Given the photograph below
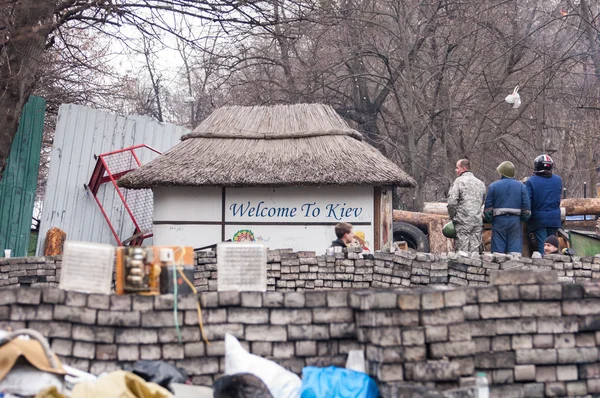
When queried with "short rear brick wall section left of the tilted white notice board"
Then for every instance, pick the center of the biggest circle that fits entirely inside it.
(29, 271)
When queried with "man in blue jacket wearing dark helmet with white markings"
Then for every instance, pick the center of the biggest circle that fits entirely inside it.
(544, 190)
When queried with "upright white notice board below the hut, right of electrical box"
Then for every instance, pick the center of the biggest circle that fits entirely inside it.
(242, 267)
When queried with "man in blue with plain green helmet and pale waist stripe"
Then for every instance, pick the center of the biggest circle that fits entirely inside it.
(506, 205)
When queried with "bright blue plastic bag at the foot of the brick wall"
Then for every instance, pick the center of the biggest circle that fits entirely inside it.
(334, 382)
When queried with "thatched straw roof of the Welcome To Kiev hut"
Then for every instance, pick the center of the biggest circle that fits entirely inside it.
(283, 145)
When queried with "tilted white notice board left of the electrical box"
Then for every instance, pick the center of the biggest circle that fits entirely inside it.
(87, 267)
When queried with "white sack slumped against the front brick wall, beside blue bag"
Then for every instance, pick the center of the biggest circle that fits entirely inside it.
(280, 382)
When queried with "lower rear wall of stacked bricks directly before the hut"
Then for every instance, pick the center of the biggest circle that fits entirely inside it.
(289, 271)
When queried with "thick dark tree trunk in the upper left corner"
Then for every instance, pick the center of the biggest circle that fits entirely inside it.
(24, 43)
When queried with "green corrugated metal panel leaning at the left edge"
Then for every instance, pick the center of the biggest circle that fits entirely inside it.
(17, 187)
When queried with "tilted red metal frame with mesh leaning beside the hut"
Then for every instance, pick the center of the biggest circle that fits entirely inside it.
(110, 167)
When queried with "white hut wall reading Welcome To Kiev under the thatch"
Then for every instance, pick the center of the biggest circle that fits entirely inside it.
(300, 218)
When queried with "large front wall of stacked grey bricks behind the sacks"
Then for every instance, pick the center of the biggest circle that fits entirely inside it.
(532, 335)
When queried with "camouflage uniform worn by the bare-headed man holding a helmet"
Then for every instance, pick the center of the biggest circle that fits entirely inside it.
(465, 198)
